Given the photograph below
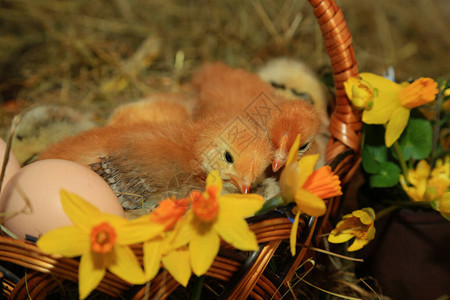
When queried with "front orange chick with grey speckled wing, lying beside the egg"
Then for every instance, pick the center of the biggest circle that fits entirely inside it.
(148, 162)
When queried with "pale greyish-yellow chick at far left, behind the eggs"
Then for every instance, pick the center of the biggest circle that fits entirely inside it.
(45, 125)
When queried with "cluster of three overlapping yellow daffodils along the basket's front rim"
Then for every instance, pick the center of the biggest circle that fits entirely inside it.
(183, 240)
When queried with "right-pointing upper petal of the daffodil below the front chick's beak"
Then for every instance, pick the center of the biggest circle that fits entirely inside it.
(240, 205)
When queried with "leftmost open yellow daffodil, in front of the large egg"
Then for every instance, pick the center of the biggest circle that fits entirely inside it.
(102, 240)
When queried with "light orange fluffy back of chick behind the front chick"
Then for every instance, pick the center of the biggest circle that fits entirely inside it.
(157, 107)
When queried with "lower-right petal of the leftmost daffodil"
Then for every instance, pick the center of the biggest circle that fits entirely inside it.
(126, 265)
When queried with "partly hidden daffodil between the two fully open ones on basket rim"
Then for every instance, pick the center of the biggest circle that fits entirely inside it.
(175, 258)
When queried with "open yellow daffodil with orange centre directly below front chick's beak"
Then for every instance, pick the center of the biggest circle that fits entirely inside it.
(214, 216)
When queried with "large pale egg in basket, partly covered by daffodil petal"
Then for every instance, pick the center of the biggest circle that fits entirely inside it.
(30, 203)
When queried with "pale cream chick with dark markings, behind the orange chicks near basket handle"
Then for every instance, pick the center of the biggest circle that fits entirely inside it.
(294, 79)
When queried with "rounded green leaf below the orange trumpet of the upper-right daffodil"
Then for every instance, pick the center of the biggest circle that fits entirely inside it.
(416, 140)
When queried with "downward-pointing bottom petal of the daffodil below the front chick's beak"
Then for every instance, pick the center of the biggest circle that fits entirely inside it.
(202, 250)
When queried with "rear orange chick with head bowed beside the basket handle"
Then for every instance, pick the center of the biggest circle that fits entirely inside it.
(226, 90)
